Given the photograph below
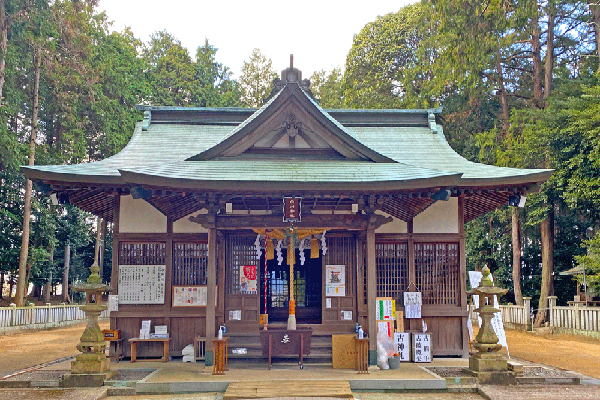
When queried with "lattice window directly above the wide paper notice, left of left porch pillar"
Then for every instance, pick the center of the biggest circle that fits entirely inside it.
(190, 262)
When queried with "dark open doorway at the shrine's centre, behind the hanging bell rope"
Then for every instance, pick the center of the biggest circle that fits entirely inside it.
(307, 289)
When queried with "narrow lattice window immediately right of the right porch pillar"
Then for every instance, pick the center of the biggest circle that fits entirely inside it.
(392, 269)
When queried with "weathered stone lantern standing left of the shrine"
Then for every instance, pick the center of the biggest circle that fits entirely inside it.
(91, 367)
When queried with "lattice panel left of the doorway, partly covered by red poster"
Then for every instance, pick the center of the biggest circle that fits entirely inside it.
(240, 252)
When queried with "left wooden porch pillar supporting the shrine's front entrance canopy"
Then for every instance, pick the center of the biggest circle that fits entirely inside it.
(211, 282)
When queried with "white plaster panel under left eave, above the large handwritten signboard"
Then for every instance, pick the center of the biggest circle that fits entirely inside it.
(138, 216)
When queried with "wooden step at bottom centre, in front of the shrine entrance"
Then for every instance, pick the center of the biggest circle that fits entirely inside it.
(274, 389)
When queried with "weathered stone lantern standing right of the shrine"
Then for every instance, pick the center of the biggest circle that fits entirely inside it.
(487, 364)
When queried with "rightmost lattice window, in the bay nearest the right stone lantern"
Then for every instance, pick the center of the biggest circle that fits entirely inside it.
(437, 270)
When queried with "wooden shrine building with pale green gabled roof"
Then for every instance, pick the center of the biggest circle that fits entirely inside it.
(196, 199)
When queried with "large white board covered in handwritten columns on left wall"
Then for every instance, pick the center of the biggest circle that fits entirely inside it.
(142, 284)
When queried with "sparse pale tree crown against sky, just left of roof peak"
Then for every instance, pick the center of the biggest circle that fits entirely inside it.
(257, 79)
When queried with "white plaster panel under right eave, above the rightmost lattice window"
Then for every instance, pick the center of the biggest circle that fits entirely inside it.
(440, 217)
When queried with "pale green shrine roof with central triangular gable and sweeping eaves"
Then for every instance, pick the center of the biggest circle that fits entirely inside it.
(243, 150)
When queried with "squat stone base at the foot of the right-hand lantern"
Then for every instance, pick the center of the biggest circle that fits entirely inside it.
(491, 368)
